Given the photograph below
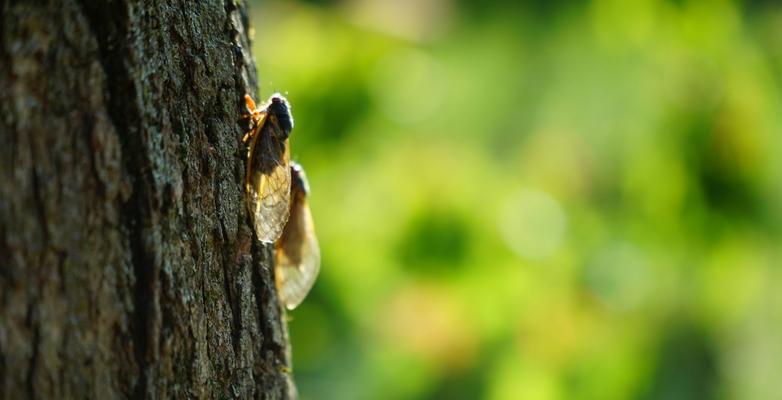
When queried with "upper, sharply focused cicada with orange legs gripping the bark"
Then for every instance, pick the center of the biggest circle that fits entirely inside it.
(268, 175)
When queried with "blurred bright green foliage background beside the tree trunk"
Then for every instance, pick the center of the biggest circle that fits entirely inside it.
(558, 200)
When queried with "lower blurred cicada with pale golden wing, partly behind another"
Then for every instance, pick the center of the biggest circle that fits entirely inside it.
(297, 251)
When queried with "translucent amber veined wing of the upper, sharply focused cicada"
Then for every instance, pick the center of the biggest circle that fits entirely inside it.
(268, 183)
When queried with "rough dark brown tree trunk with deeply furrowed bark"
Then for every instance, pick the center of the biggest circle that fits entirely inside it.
(128, 266)
